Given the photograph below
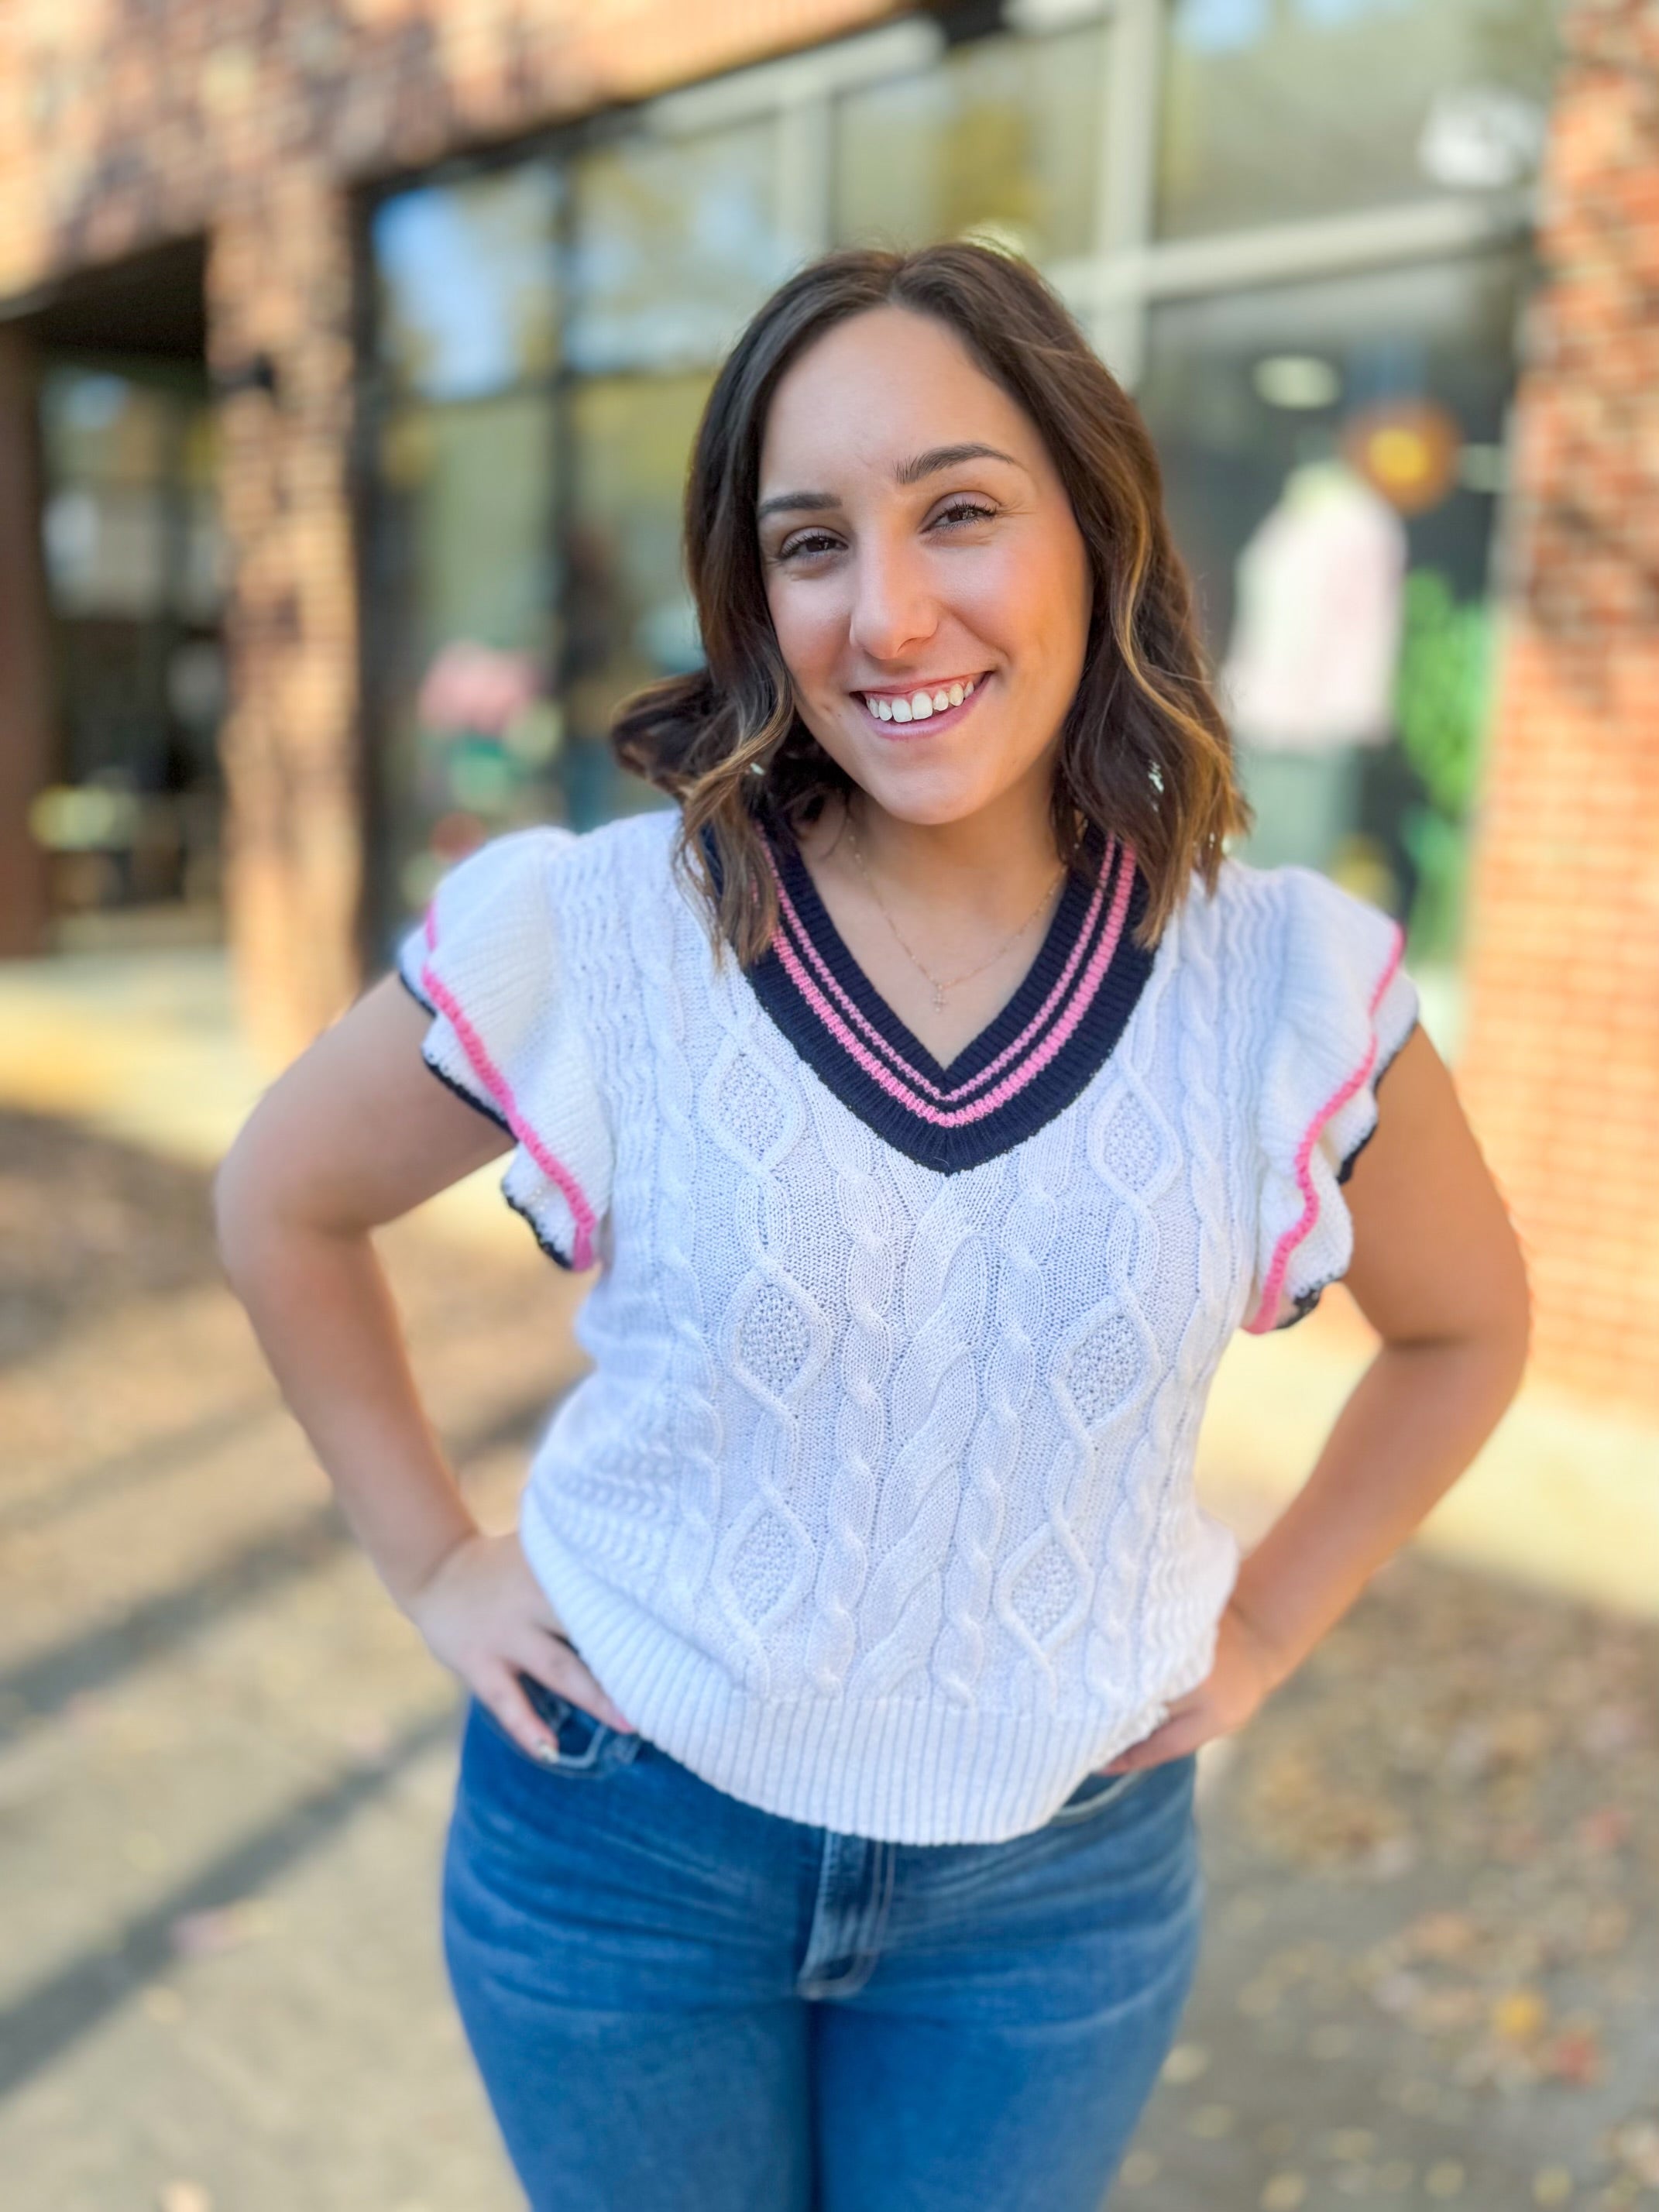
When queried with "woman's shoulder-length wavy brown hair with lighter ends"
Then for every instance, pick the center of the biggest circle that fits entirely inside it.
(1145, 751)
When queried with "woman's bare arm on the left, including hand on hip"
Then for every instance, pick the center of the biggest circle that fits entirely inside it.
(351, 1138)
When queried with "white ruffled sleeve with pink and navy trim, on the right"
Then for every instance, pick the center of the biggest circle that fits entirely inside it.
(1344, 1010)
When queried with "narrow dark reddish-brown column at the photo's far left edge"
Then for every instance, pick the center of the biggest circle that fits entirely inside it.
(25, 656)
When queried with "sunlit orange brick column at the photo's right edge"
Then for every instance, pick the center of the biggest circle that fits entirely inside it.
(1563, 1054)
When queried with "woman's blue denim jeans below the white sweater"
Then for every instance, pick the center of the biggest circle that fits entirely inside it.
(687, 2005)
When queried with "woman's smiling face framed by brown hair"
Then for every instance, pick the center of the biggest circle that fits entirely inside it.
(919, 547)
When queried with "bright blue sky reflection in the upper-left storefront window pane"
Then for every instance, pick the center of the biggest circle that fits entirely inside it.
(468, 300)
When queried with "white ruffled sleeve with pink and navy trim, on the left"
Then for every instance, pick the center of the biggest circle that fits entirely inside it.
(486, 963)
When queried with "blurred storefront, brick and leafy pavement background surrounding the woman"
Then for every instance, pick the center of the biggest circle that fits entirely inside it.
(351, 353)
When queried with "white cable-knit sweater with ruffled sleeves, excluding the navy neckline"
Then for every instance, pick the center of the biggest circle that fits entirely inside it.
(877, 1507)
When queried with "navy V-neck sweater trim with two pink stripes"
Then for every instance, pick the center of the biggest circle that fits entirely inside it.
(1025, 1067)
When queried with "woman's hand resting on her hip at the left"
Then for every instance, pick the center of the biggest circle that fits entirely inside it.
(488, 1620)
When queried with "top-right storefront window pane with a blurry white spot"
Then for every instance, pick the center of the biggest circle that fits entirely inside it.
(1284, 109)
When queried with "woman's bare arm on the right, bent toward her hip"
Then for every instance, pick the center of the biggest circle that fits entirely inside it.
(1439, 1275)
